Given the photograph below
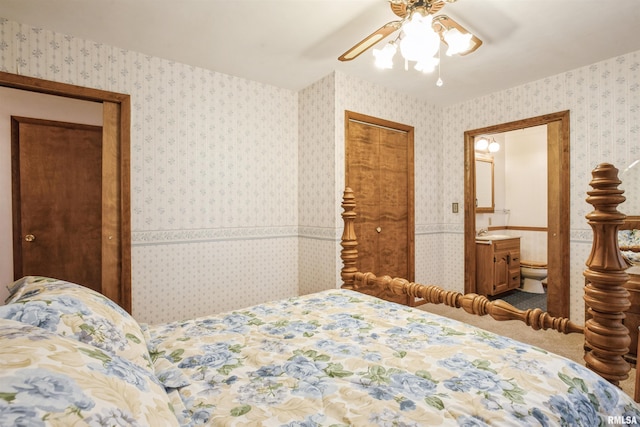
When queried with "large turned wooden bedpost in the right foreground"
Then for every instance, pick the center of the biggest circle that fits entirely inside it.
(606, 337)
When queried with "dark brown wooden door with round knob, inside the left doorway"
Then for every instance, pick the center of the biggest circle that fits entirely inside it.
(57, 200)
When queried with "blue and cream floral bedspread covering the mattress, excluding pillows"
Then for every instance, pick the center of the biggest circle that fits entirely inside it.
(340, 358)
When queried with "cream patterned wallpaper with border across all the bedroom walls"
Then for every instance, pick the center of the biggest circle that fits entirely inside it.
(236, 184)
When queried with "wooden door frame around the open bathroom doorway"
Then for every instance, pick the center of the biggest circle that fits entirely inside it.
(558, 209)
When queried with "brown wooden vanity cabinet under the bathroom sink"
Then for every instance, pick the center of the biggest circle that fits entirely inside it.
(497, 265)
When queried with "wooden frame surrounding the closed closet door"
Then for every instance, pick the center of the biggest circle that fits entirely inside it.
(409, 130)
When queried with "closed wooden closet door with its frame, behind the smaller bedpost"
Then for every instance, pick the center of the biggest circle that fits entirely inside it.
(379, 170)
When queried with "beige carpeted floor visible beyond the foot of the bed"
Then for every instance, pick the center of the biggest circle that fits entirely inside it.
(569, 346)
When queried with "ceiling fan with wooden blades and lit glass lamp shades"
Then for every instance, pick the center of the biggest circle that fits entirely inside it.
(421, 34)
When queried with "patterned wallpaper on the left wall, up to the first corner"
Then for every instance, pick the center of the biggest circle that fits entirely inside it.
(214, 172)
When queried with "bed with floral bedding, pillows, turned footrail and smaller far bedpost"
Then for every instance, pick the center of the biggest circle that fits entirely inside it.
(70, 356)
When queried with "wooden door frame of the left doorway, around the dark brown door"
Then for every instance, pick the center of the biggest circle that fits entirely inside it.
(116, 205)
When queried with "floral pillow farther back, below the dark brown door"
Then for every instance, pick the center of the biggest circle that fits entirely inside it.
(78, 312)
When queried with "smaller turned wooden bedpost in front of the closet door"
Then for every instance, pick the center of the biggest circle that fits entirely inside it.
(349, 253)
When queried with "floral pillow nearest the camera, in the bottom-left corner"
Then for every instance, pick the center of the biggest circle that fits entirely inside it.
(48, 379)
